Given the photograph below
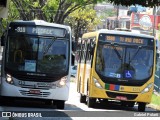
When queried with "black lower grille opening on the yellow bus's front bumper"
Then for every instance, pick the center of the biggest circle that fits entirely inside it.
(128, 96)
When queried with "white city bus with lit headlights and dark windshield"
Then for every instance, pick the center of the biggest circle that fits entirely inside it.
(36, 62)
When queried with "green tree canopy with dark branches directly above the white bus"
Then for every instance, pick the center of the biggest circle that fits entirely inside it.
(50, 10)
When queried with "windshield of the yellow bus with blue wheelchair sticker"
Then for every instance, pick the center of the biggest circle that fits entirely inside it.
(124, 61)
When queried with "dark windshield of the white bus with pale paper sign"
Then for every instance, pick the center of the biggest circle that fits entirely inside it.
(37, 54)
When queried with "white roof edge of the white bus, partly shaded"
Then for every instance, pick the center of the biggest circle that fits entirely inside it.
(38, 22)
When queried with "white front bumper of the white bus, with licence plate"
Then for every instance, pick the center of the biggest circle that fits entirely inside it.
(9, 90)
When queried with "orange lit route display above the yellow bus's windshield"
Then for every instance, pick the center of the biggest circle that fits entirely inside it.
(121, 39)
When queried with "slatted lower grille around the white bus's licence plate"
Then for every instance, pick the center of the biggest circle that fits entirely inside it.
(41, 94)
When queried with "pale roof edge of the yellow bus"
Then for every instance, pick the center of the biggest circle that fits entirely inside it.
(125, 33)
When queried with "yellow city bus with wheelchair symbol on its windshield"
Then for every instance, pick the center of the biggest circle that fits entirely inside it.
(116, 65)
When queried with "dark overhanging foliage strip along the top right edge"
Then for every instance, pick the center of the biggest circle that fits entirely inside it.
(147, 3)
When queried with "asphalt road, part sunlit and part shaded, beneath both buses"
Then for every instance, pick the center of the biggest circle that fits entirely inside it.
(72, 109)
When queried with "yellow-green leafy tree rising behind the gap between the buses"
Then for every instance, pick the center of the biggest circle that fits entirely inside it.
(82, 20)
